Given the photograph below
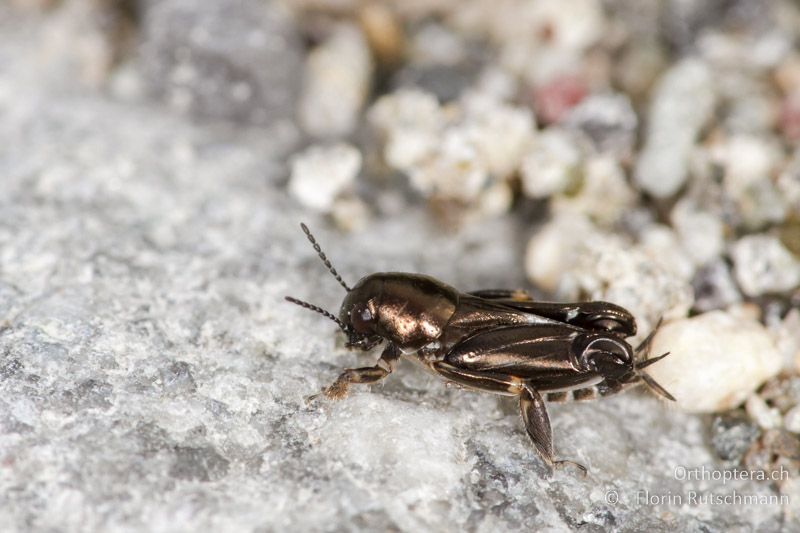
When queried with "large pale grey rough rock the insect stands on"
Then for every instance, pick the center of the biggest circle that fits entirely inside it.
(153, 379)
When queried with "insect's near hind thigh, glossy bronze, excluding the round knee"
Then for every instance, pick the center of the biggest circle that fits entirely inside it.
(539, 354)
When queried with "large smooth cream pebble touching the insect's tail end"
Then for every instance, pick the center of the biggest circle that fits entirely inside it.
(716, 360)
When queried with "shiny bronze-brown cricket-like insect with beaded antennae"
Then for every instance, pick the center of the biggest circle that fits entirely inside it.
(496, 341)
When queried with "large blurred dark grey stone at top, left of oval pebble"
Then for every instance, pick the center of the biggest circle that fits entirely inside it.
(237, 61)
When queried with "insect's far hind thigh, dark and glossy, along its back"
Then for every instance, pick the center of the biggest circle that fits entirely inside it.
(597, 315)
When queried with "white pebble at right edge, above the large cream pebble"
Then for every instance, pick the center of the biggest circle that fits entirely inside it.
(762, 264)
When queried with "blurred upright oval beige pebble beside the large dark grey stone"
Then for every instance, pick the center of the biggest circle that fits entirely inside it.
(338, 75)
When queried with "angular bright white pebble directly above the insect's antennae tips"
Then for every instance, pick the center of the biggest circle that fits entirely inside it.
(321, 173)
